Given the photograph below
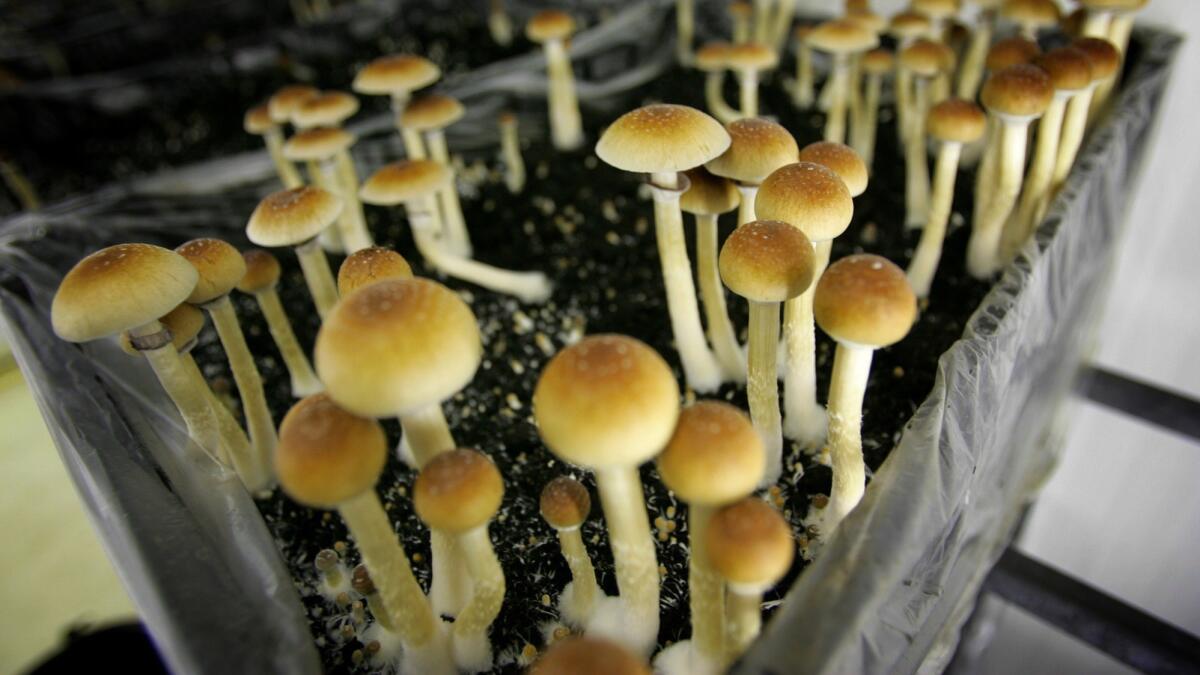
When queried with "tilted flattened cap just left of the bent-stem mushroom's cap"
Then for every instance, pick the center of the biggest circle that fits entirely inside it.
(293, 217)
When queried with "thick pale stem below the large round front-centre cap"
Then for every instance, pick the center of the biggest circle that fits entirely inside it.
(633, 552)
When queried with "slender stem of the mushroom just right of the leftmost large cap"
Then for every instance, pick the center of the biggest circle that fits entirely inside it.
(263, 437)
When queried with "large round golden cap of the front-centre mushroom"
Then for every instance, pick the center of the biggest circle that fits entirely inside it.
(607, 402)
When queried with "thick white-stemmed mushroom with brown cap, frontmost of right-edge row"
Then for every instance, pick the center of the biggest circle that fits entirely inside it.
(1015, 98)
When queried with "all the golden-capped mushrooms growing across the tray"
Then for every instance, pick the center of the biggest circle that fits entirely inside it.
(394, 345)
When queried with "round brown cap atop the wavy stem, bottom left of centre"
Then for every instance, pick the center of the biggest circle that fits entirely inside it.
(458, 491)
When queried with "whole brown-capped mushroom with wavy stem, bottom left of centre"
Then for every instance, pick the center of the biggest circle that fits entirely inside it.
(457, 494)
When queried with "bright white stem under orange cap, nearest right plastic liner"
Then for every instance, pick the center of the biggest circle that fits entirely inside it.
(851, 369)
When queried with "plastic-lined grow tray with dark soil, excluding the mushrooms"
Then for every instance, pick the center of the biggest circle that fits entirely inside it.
(226, 583)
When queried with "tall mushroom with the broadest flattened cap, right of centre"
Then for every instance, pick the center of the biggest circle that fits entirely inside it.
(663, 140)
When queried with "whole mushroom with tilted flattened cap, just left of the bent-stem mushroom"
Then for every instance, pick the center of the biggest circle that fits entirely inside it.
(295, 218)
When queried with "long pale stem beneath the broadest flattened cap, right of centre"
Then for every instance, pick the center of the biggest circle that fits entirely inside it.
(700, 367)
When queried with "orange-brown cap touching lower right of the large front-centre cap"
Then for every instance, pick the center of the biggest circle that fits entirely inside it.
(716, 456)
